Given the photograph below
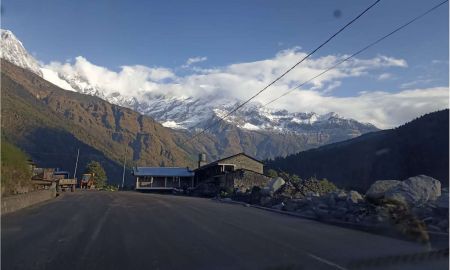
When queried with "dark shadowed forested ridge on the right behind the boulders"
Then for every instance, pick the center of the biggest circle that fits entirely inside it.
(417, 147)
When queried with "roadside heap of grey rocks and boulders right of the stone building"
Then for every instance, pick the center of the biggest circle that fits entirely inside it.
(412, 206)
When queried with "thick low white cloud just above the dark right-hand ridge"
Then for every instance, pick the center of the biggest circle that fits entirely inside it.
(381, 108)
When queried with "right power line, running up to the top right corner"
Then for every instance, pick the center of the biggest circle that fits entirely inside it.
(359, 51)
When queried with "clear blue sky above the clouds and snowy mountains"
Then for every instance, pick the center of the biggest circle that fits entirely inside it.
(113, 34)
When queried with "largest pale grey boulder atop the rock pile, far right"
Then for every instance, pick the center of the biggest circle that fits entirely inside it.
(415, 190)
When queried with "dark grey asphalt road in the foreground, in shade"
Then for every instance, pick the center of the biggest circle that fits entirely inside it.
(128, 230)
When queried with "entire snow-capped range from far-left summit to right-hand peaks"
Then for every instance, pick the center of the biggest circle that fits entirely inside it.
(187, 112)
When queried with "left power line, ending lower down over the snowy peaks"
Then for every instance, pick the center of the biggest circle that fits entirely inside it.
(287, 71)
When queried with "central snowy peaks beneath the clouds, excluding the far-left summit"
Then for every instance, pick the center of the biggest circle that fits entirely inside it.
(188, 113)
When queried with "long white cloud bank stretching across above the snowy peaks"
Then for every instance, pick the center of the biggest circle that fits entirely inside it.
(242, 80)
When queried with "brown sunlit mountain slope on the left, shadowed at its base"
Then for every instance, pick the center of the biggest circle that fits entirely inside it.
(48, 123)
